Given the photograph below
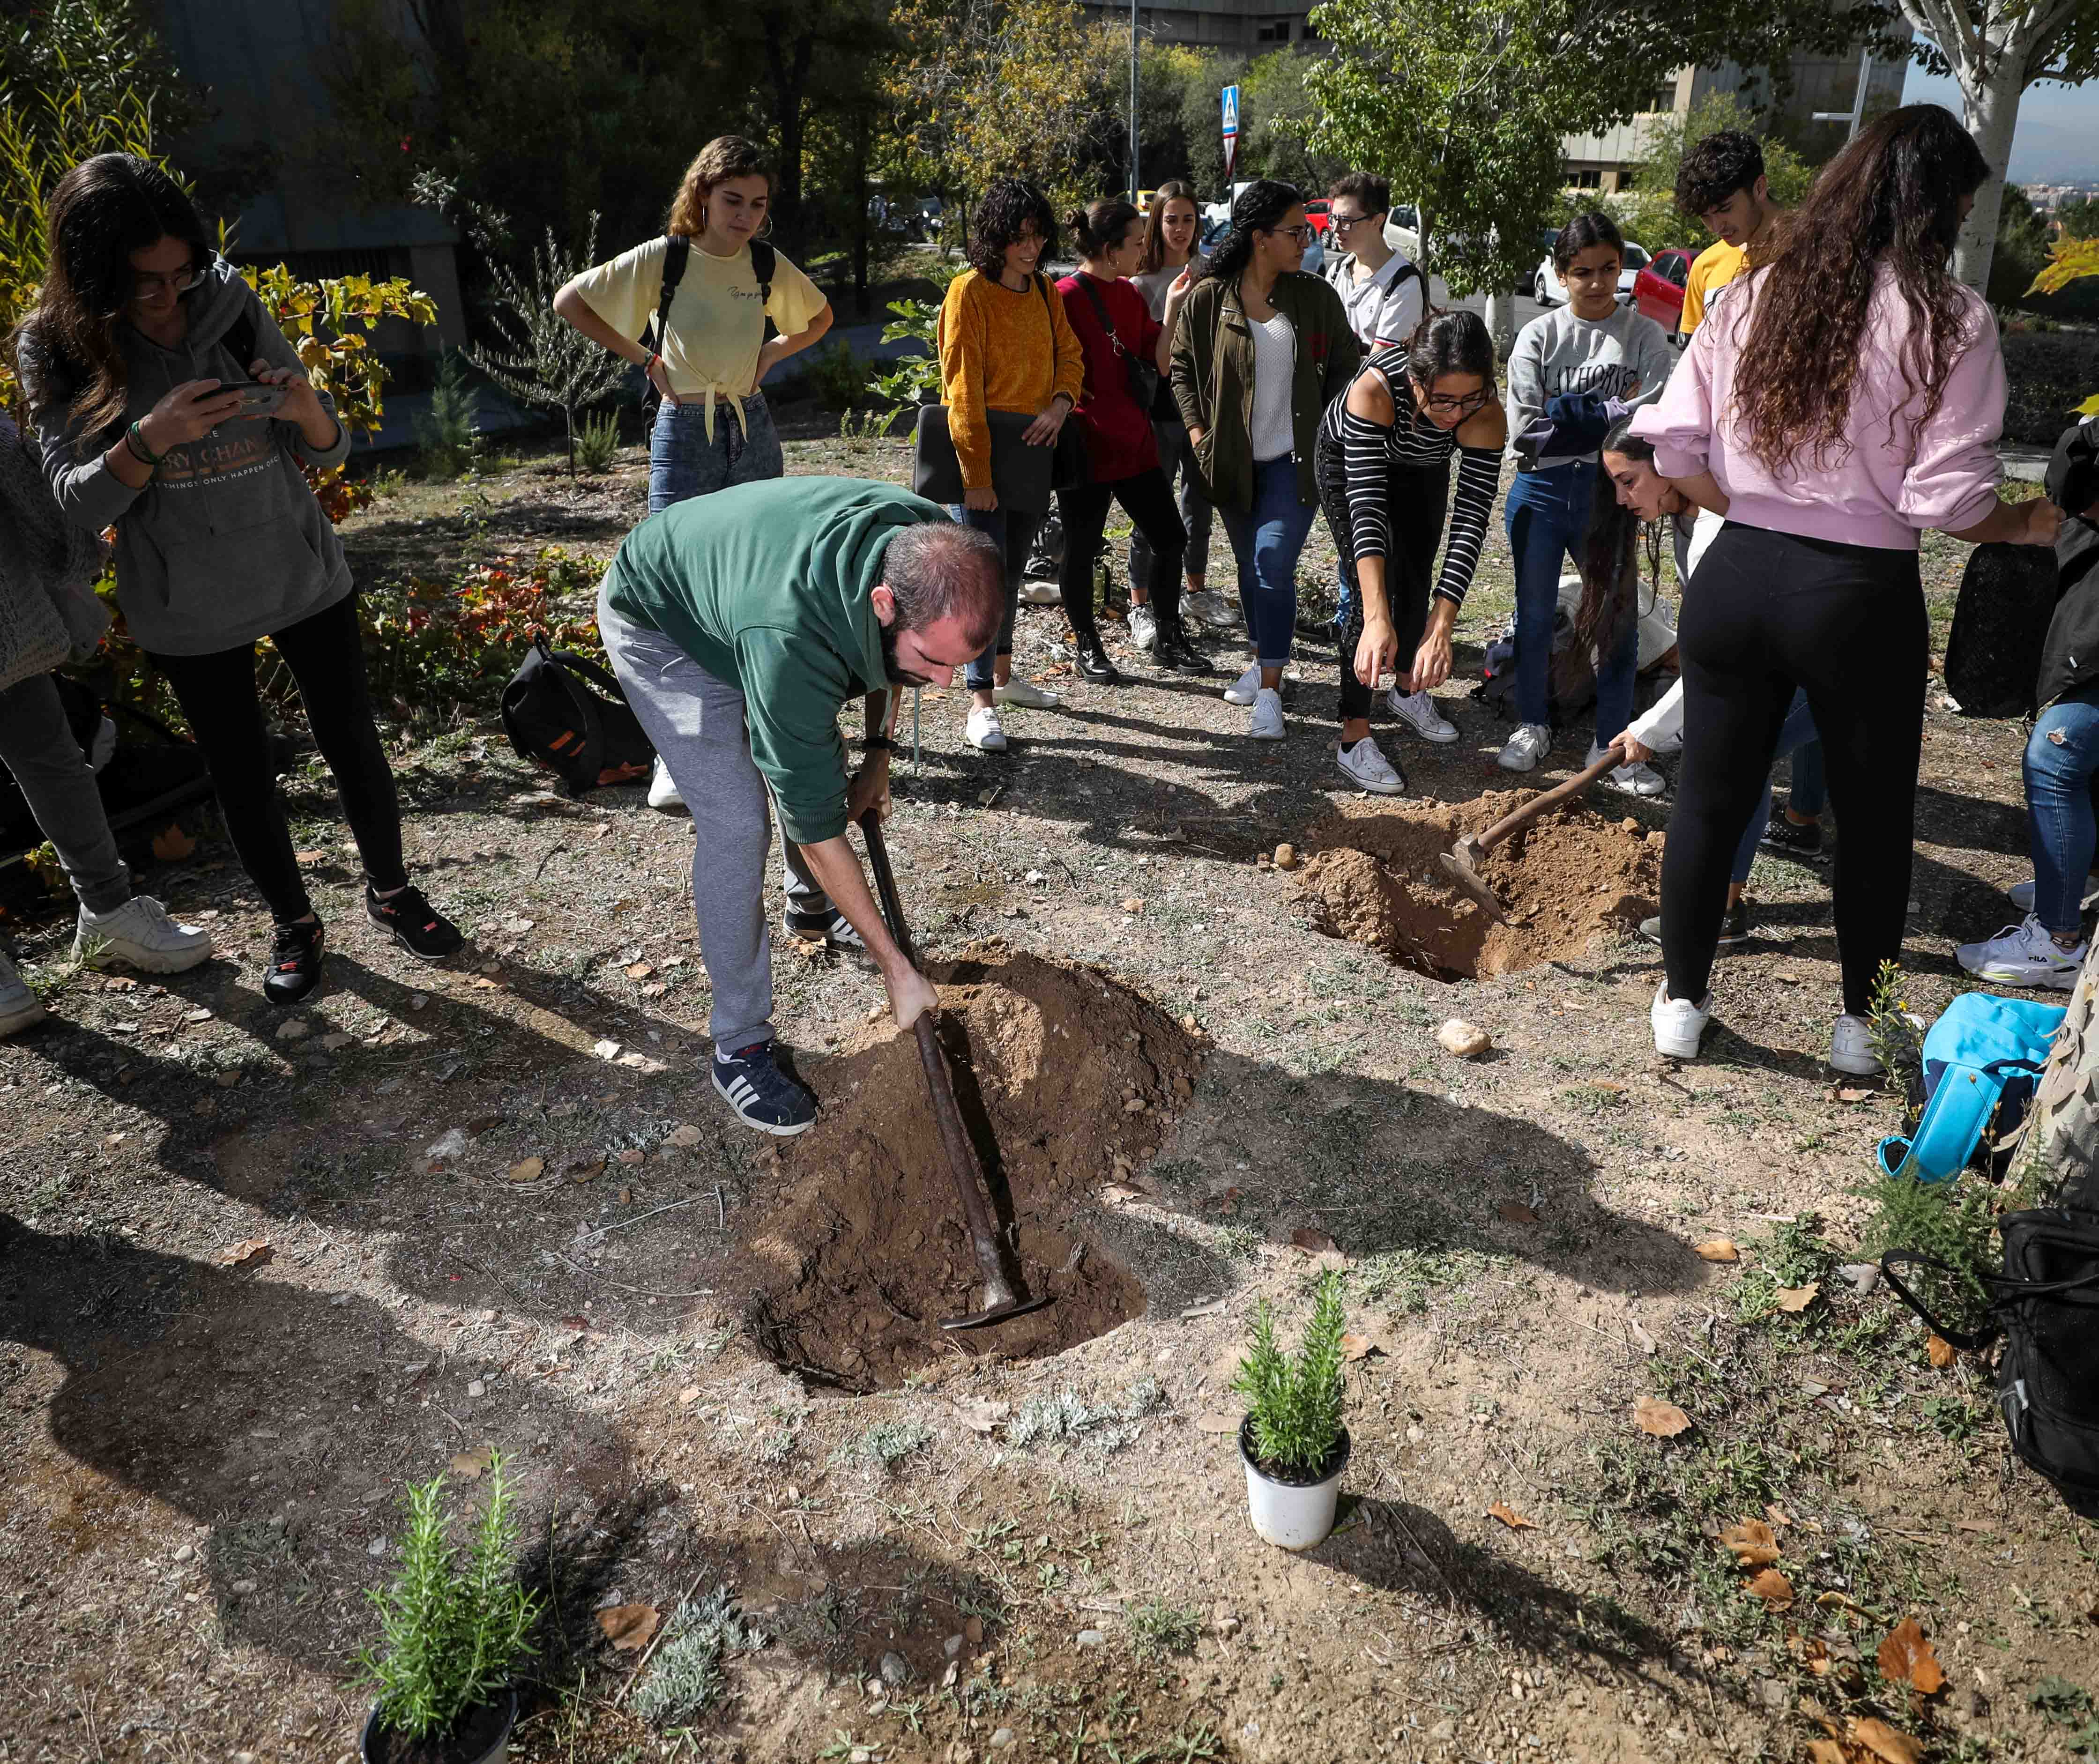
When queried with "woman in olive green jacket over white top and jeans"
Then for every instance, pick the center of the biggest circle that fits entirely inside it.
(1263, 349)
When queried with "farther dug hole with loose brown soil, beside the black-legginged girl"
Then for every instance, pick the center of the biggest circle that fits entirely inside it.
(1563, 880)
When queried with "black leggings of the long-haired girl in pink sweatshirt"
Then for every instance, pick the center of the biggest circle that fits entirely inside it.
(1846, 624)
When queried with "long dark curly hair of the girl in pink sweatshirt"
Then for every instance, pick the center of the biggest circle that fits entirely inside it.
(1890, 200)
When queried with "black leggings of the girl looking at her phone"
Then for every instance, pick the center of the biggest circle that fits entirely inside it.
(219, 697)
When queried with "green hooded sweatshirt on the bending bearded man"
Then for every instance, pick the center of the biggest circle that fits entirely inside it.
(765, 586)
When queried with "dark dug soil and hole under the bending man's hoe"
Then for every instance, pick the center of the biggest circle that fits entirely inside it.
(1059, 1071)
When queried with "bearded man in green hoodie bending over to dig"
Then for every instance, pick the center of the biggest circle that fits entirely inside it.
(740, 626)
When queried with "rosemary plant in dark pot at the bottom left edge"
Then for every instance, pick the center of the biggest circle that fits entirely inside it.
(450, 1635)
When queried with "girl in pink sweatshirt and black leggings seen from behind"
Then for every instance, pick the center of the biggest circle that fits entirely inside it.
(1840, 400)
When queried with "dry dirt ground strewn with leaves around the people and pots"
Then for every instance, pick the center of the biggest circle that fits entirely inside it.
(245, 1306)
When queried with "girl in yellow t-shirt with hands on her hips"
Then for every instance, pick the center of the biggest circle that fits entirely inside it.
(713, 429)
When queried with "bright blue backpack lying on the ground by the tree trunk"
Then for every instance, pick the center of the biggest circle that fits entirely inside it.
(1983, 1060)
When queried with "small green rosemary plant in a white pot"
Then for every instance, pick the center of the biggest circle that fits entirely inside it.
(1292, 1440)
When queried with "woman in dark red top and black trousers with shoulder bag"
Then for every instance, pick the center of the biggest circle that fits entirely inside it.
(1120, 335)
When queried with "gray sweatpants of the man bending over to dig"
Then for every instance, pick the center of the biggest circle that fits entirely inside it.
(698, 729)
